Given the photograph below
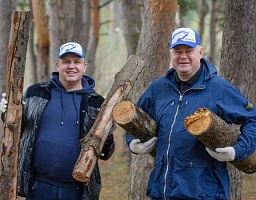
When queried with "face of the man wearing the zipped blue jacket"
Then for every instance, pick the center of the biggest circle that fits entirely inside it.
(186, 60)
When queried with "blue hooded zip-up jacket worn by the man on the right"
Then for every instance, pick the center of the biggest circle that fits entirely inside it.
(183, 168)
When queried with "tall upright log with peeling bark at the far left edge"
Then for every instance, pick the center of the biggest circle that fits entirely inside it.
(14, 90)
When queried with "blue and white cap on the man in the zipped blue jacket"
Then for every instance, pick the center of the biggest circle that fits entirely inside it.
(185, 36)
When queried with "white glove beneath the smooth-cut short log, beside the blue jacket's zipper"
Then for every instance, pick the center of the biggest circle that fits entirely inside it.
(137, 146)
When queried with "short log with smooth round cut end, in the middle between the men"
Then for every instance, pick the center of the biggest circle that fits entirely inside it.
(135, 121)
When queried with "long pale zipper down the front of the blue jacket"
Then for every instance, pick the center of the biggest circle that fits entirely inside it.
(169, 144)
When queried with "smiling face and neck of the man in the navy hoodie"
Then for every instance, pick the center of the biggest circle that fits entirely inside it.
(71, 69)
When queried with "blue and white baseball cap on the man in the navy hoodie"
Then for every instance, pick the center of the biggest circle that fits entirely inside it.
(71, 47)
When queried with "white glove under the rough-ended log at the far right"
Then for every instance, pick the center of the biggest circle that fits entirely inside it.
(222, 154)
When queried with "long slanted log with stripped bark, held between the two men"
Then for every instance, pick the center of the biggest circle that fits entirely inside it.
(92, 144)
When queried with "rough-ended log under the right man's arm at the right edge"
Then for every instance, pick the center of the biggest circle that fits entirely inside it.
(214, 132)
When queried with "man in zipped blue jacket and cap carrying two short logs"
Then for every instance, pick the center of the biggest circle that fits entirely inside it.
(183, 167)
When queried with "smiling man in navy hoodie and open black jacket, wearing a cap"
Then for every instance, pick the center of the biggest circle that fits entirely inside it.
(56, 115)
